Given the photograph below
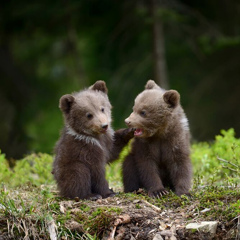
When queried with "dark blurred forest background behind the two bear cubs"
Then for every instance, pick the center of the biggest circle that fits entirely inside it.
(50, 48)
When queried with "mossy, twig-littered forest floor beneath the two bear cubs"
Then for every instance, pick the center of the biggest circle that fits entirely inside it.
(38, 213)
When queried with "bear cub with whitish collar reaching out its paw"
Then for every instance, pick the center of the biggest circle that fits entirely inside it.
(86, 144)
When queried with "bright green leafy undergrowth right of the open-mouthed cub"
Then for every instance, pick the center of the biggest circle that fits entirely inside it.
(218, 160)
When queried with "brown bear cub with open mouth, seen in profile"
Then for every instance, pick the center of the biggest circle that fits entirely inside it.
(160, 151)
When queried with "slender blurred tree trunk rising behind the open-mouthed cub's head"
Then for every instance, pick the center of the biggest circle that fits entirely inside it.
(159, 61)
